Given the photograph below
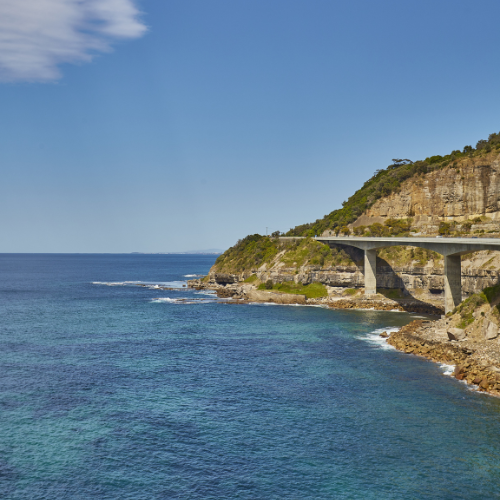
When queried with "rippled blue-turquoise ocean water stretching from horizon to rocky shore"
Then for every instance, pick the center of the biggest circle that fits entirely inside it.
(113, 390)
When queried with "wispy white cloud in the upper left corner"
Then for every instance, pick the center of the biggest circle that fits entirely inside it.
(36, 36)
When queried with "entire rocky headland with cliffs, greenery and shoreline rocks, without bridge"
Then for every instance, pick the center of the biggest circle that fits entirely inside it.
(455, 195)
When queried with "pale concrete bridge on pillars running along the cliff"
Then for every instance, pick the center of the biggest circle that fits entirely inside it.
(450, 248)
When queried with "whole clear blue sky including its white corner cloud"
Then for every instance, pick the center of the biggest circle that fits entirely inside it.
(165, 126)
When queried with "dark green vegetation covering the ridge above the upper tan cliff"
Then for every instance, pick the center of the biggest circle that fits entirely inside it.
(387, 181)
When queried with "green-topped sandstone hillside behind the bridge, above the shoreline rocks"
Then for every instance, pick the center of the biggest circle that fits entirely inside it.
(455, 195)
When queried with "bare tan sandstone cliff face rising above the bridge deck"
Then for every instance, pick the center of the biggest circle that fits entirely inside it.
(467, 189)
